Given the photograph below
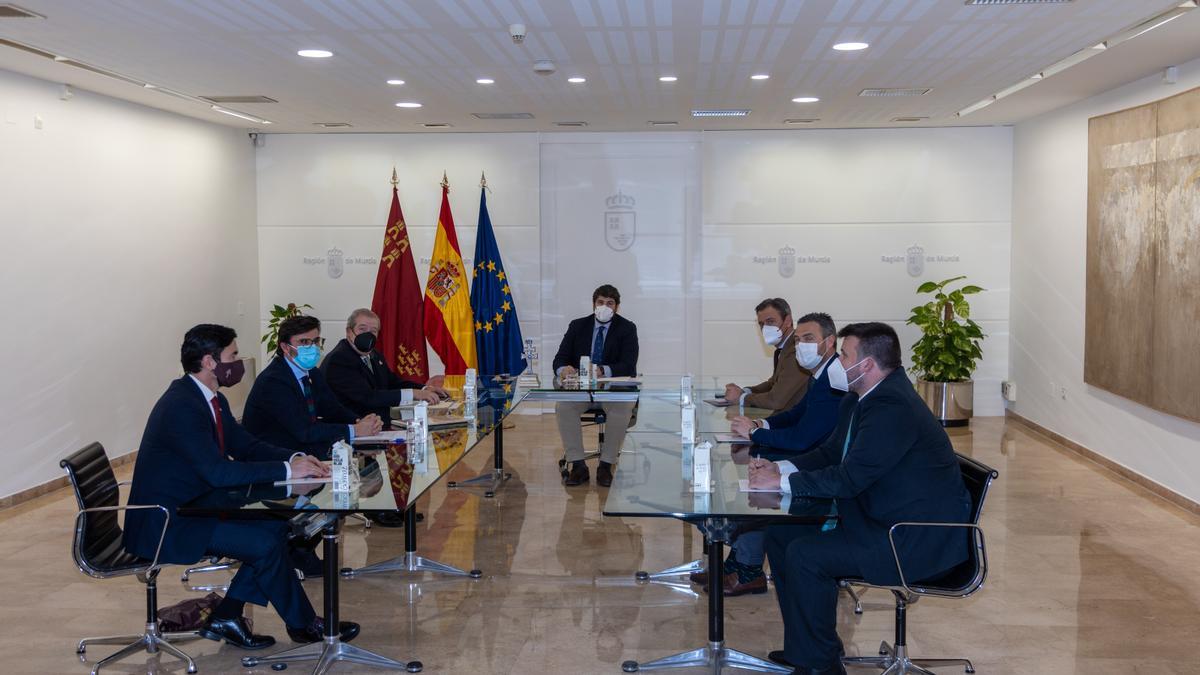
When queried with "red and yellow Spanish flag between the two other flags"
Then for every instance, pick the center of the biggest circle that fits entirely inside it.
(449, 325)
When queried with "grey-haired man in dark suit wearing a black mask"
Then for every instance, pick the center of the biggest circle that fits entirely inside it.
(361, 379)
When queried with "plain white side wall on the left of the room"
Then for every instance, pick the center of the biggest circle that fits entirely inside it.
(122, 228)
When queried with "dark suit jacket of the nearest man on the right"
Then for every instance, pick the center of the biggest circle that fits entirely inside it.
(899, 467)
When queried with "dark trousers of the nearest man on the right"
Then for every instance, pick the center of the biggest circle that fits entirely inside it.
(806, 565)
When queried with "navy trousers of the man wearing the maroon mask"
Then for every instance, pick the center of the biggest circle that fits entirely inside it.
(267, 575)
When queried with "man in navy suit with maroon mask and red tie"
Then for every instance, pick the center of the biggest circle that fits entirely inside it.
(194, 445)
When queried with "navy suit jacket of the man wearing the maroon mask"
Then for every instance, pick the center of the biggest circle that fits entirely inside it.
(181, 461)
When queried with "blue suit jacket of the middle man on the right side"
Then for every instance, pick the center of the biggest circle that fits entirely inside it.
(806, 426)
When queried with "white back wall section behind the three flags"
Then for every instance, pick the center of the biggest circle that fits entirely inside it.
(321, 193)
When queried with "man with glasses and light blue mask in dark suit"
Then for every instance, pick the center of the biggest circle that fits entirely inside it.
(291, 404)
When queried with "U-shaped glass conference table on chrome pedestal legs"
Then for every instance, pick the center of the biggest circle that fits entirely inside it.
(393, 479)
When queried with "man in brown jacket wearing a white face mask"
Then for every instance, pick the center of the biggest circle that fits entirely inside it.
(788, 383)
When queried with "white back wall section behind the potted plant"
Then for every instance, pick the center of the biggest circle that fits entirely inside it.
(849, 205)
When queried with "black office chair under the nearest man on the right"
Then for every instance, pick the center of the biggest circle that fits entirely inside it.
(961, 582)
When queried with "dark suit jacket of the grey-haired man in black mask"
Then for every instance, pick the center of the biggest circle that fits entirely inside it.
(361, 389)
